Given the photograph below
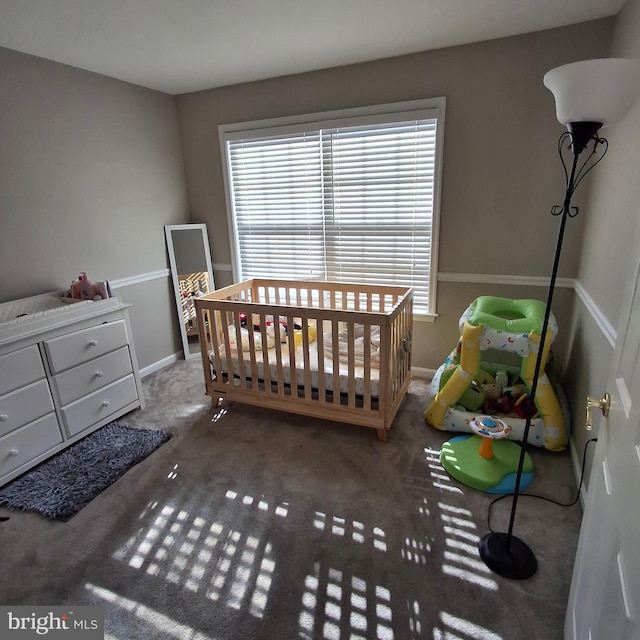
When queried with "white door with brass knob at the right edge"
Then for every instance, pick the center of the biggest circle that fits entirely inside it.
(604, 601)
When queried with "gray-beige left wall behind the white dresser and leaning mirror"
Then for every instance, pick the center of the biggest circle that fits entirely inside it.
(90, 171)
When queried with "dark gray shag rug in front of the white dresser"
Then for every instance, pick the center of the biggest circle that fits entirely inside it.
(59, 487)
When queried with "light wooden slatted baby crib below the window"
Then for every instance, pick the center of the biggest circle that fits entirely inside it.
(336, 351)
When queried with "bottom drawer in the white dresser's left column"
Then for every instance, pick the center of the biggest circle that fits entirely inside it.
(29, 442)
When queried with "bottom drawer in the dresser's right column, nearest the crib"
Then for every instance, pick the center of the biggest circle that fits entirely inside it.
(85, 412)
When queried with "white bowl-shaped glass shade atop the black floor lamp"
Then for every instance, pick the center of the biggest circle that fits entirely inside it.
(594, 90)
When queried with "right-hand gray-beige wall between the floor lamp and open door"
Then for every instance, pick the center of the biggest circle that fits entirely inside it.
(610, 249)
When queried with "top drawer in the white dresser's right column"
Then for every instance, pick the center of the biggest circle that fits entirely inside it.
(81, 346)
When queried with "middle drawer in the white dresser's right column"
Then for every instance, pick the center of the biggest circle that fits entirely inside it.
(91, 376)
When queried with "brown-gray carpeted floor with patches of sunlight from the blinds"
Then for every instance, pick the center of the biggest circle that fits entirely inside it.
(252, 524)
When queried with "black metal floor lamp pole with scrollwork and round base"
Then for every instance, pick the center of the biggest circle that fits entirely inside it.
(504, 553)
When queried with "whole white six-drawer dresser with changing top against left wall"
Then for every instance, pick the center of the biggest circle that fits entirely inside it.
(66, 369)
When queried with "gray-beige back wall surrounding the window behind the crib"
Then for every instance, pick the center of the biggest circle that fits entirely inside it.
(501, 173)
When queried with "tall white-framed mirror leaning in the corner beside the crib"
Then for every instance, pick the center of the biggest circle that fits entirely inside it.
(192, 276)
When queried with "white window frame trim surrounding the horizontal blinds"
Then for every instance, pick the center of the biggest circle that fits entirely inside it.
(414, 109)
